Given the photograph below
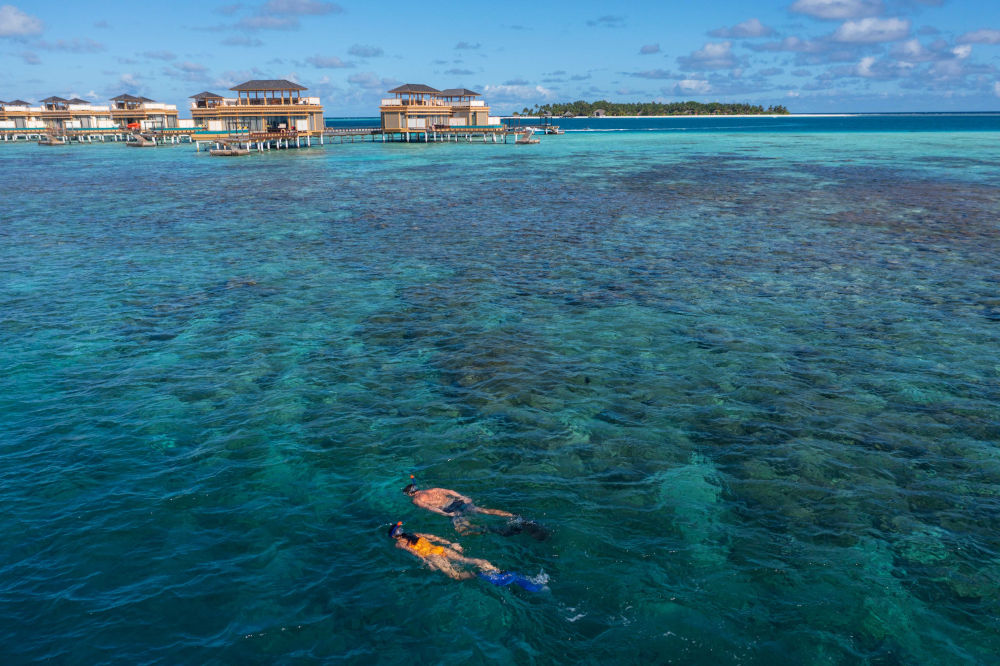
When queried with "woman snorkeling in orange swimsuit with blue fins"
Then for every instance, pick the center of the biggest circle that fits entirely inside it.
(447, 557)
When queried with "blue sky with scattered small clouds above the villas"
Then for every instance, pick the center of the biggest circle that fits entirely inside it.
(810, 55)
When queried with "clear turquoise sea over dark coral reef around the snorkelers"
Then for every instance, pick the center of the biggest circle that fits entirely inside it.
(749, 380)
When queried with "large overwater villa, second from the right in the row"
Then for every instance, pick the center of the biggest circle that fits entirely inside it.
(261, 106)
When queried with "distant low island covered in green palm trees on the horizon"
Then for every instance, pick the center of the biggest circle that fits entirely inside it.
(605, 108)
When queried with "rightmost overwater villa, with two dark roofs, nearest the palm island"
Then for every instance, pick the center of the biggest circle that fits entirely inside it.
(418, 108)
